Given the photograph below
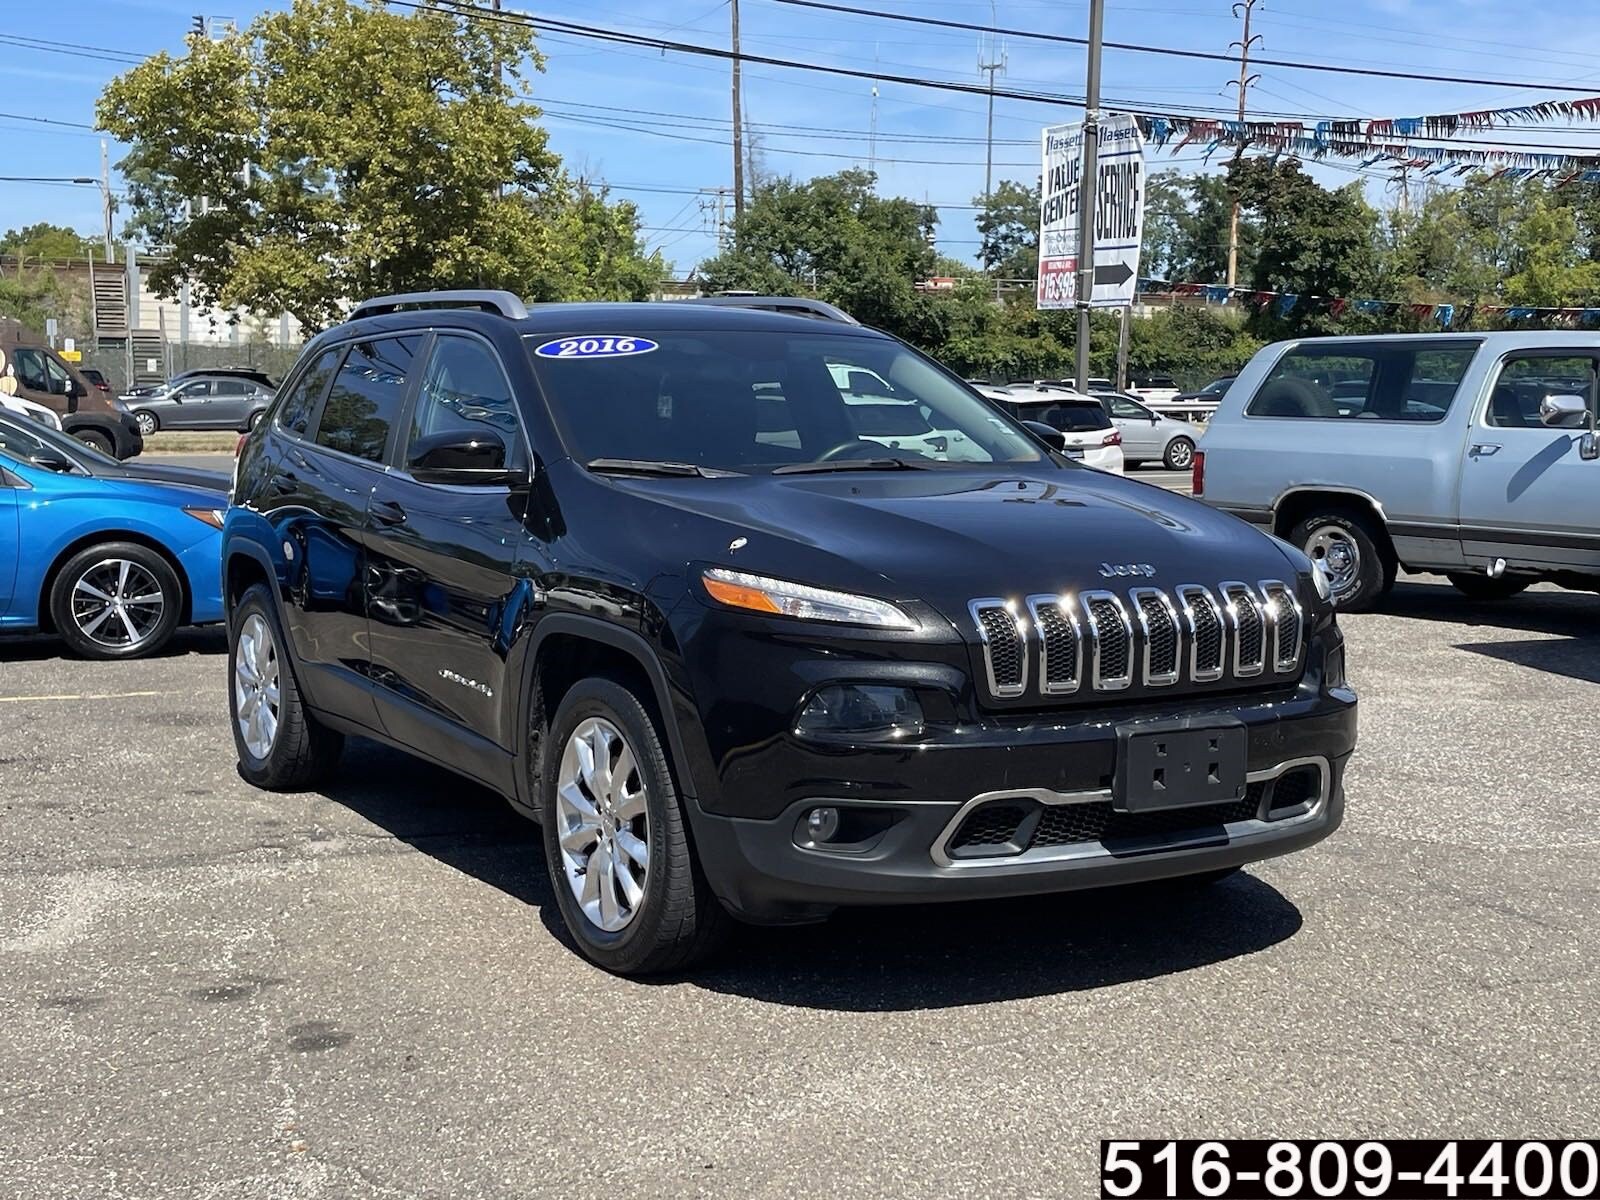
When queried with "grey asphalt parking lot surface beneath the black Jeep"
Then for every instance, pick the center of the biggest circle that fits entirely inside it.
(209, 991)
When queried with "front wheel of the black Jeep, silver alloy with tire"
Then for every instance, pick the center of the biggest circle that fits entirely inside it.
(615, 839)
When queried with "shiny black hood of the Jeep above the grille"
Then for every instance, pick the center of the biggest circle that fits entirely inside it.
(953, 535)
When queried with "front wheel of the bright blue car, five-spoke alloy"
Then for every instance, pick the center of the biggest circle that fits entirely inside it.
(116, 601)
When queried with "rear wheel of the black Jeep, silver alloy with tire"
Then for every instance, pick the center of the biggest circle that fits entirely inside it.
(281, 746)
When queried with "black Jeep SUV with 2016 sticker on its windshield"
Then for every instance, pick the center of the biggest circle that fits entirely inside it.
(671, 580)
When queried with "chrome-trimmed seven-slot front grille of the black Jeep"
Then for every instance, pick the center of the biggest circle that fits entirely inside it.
(1103, 641)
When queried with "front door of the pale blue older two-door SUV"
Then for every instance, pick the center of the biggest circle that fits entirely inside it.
(1526, 494)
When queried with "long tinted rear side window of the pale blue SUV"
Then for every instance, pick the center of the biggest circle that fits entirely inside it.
(1383, 382)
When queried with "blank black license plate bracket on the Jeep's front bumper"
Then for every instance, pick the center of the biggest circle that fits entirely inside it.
(1180, 764)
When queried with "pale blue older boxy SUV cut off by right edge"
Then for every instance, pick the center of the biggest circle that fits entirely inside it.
(1468, 455)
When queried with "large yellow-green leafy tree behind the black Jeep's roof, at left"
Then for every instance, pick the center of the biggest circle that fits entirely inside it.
(345, 150)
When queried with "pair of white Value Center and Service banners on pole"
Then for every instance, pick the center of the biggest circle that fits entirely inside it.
(1119, 215)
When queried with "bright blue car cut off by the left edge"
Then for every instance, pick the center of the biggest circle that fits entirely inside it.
(111, 556)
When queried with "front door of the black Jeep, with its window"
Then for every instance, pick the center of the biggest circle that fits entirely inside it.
(444, 594)
